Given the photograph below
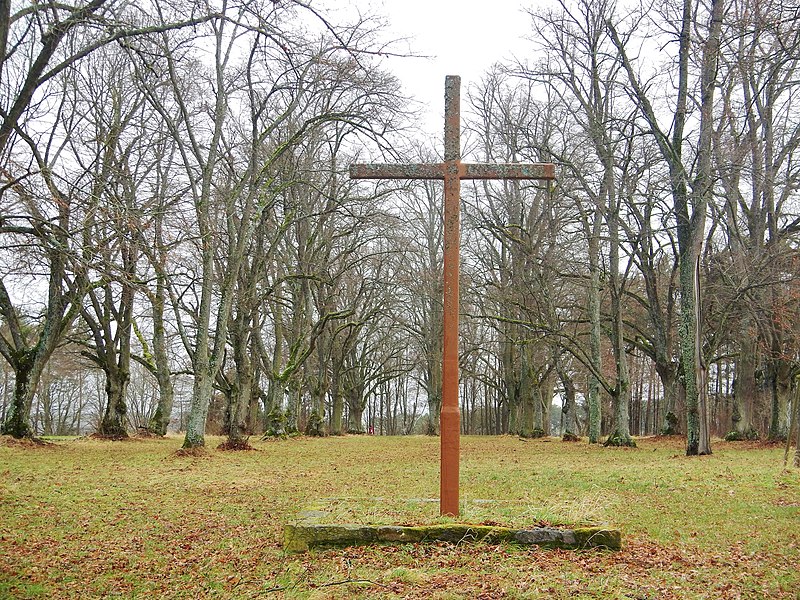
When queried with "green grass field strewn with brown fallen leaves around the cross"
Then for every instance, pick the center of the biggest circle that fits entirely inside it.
(88, 518)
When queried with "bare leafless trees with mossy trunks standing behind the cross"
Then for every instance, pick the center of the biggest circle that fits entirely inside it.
(181, 243)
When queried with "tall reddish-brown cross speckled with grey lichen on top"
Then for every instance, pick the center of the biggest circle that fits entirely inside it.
(452, 171)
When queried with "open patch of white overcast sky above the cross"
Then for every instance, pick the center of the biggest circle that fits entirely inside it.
(463, 37)
